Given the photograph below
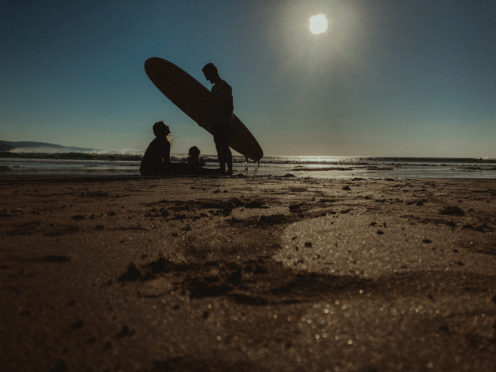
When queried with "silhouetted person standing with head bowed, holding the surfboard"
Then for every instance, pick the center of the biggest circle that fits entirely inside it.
(222, 113)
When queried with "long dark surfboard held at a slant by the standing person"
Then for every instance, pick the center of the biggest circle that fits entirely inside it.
(194, 99)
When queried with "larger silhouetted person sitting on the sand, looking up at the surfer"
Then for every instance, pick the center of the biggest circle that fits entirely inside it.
(157, 156)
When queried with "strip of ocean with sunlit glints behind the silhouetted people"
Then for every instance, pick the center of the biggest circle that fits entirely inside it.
(298, 166)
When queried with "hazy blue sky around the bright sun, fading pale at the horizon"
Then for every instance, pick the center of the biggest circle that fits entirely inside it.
(389, 77)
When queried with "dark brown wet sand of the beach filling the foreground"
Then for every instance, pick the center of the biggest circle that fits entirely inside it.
(247, 274)
